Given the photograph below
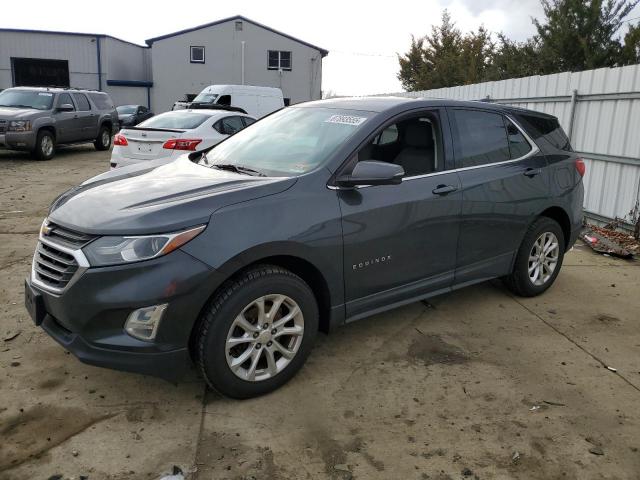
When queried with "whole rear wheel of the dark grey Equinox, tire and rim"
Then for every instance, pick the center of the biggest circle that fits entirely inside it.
(538, 260)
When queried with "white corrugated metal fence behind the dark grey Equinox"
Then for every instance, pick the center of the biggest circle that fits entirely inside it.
(599, 110)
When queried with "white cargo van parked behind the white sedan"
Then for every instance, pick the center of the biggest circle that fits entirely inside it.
(255, 101)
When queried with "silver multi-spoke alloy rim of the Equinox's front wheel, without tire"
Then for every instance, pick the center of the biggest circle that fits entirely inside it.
(264, 337)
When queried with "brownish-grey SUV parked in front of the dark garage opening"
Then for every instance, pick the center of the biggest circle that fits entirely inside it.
(39, 119)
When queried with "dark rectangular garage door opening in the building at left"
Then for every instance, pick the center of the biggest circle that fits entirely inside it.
(34, 72)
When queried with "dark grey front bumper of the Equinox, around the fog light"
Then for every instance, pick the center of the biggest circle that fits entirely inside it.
(88, 317)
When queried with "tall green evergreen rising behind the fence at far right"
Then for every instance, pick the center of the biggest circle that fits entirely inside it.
(581, 35)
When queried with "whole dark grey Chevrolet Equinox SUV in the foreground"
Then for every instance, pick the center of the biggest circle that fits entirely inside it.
(318, 215)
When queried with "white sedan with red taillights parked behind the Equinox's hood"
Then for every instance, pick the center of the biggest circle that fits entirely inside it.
(168, 135)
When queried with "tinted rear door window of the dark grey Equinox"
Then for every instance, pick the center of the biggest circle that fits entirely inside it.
(481, 138)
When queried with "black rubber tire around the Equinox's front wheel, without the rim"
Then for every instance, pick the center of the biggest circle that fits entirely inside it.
(218, 318)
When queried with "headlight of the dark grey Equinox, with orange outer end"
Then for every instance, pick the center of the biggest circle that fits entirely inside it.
(116, 250)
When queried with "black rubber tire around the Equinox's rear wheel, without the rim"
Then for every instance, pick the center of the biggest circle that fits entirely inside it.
(519, 282)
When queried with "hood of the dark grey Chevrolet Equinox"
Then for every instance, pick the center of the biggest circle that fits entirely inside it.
(148, 198)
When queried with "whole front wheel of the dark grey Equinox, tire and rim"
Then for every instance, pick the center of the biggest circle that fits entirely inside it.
(257, 332)
